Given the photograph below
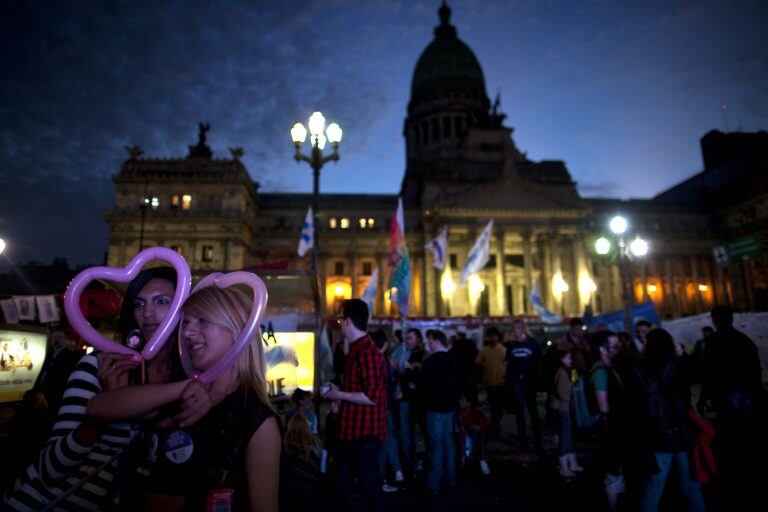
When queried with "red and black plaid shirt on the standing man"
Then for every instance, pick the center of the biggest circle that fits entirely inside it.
(365, 371)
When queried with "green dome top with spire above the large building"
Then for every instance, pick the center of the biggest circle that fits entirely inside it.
(447, 65)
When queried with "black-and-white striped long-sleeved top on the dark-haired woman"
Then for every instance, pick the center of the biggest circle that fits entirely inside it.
(63, 461)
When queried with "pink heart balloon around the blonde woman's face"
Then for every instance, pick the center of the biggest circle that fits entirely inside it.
(250, 330)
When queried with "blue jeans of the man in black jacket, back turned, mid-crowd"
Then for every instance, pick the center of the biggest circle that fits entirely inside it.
(442, 450)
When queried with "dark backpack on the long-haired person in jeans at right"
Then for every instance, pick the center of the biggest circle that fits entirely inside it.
(671, 428)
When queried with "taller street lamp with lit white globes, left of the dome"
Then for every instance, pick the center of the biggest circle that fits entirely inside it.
(319, 135)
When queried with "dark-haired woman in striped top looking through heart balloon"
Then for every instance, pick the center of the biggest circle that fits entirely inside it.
(78, 466)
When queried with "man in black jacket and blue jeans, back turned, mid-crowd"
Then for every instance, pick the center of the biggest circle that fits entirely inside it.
(440, 396)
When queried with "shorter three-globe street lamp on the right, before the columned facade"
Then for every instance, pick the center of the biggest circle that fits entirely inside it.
(624, 254)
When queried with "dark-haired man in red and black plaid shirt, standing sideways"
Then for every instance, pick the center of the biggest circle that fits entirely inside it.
(363, 412)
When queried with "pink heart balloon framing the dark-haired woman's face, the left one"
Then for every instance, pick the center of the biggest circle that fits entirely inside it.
(123, 275)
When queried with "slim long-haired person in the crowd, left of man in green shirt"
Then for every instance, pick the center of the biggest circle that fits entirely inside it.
(560, 400)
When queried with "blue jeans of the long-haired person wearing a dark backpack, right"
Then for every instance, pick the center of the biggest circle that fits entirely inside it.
(653, 487)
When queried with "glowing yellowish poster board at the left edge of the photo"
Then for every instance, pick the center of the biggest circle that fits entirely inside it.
(22, 354)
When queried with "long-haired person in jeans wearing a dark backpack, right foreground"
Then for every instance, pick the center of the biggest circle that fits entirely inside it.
(658, 406)
